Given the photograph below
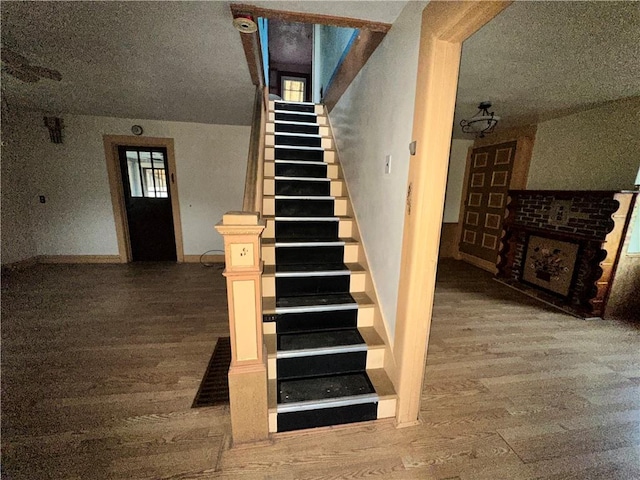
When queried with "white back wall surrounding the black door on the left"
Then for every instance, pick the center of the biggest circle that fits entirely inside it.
(77, 218)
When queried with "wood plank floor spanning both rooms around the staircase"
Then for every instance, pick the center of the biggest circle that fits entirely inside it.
(100, 364)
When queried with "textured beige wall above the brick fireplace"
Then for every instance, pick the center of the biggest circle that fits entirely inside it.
(597, 149)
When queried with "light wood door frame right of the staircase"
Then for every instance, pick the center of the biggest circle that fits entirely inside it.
(445, 25)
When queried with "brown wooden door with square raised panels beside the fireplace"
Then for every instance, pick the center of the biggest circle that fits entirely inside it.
(484, 207)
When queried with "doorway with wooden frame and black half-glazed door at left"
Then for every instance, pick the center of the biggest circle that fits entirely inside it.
(144, 194)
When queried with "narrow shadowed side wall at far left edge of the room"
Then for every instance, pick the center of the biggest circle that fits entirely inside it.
(17, 239)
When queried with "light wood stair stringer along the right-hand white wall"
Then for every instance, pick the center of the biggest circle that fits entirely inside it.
(379, 323)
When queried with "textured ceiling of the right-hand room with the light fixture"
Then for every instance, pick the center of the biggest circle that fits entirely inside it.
(539, 60)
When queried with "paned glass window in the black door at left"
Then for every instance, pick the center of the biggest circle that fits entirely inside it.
(147, 174)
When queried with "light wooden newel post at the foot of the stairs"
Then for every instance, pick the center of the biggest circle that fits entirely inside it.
(248, 370)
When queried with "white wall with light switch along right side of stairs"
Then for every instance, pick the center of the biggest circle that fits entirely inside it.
(374, 118)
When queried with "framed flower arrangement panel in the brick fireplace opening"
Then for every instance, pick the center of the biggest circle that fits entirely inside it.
(550, 264)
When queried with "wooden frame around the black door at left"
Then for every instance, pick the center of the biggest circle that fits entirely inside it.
(111, 144)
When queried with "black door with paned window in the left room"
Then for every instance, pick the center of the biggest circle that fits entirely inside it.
(148, 203)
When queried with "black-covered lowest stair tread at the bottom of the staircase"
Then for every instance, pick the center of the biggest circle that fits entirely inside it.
(323, 388)
